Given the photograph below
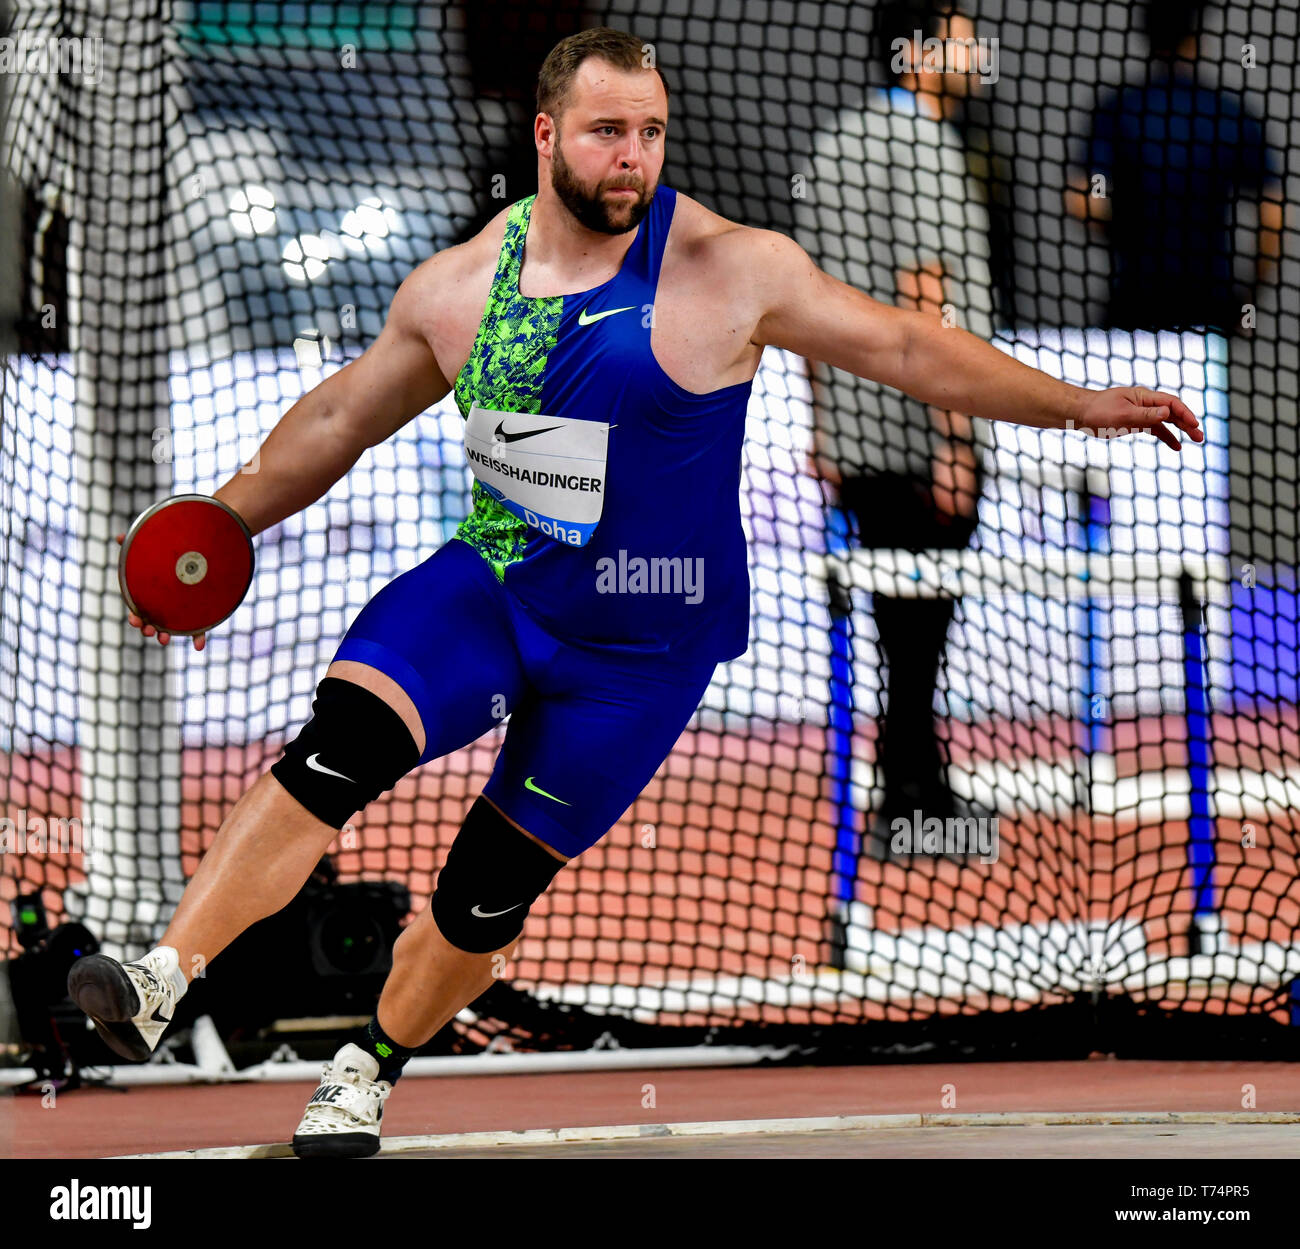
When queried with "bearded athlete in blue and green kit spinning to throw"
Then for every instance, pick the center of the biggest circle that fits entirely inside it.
(601, 339)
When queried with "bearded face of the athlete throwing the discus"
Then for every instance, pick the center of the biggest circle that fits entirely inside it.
(606, 162)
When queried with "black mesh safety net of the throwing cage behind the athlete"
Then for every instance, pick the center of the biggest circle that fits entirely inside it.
(236, 214)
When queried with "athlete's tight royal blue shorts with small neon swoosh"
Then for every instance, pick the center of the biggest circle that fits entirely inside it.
(590, 726)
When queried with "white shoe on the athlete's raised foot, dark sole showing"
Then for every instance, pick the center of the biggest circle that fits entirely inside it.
(131, 1004)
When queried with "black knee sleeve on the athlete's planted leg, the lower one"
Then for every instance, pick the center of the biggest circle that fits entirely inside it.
(491, 881)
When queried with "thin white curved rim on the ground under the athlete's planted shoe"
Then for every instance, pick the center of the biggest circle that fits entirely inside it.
(768, 1127)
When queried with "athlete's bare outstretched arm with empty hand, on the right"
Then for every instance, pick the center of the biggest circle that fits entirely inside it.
(807, 311)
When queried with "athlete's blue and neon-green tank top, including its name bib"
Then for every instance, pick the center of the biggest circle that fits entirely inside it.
(606, 497)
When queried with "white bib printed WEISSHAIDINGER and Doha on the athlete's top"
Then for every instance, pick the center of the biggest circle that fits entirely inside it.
(549, 471)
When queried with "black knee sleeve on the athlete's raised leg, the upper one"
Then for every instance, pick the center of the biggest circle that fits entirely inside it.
(353, 749)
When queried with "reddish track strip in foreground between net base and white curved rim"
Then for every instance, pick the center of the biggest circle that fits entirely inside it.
(99, 1124)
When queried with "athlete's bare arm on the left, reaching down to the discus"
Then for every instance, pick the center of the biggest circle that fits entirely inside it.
(323, 435)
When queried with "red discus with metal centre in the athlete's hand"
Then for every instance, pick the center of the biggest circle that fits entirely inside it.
(187, 565)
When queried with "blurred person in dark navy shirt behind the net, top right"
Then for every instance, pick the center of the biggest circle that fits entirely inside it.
(1167, 163)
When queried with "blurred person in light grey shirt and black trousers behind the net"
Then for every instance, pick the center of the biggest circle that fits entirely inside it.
(892, 211)
